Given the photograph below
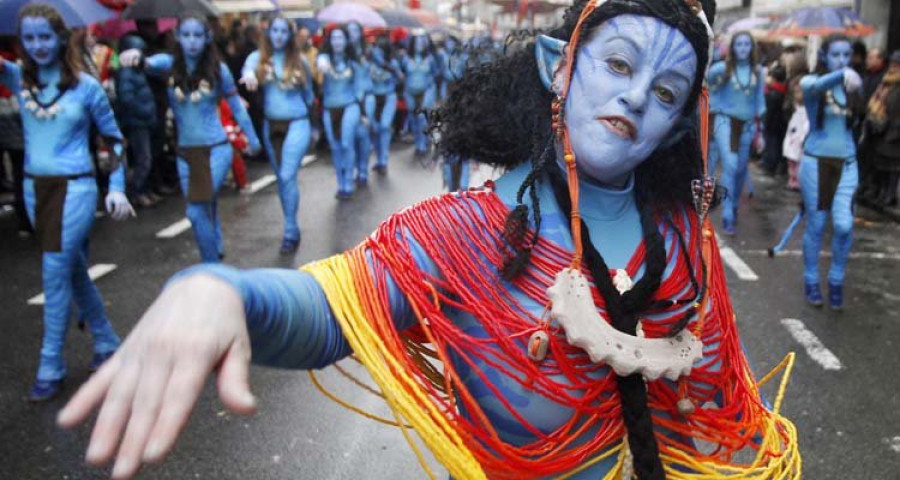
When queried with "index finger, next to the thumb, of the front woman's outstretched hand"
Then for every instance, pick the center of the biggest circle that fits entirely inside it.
(181, 395)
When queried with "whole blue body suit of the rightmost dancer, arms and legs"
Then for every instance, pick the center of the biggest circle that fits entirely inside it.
(834, 139)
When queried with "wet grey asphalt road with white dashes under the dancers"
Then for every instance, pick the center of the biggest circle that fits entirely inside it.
(846, 412)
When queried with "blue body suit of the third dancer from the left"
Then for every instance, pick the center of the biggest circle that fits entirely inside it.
(285, 104)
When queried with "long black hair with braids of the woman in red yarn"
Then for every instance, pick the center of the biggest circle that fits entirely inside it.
(500, 114)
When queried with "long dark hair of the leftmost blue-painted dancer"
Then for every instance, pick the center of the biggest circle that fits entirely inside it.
(69, 53)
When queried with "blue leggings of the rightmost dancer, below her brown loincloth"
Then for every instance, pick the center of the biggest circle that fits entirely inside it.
(841, 219)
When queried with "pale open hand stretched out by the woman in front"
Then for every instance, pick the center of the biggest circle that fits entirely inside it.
(146, 391)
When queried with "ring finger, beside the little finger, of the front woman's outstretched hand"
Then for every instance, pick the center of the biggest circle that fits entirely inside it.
(113, 415)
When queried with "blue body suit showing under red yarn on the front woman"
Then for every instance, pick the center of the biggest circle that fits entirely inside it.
(291, 324)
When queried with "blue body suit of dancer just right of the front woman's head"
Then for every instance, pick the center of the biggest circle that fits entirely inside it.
(736, 99)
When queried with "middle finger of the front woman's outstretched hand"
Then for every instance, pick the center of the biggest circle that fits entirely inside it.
(144, 411)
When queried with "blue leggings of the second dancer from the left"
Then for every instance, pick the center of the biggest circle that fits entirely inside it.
(203, 215)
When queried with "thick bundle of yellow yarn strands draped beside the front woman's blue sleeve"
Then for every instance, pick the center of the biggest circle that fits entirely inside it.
(406, 398)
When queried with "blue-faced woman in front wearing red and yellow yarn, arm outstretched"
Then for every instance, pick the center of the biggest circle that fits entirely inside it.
(466, 308)
